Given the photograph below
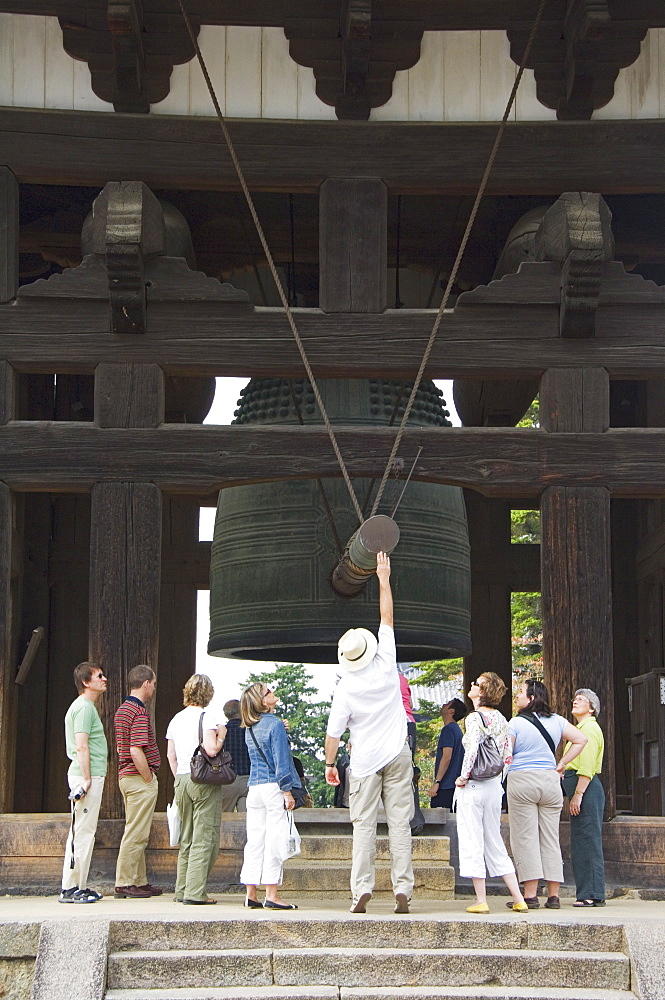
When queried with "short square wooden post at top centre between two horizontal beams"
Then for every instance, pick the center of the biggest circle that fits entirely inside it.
(353, 244)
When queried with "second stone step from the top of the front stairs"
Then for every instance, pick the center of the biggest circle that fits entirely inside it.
(368, 967)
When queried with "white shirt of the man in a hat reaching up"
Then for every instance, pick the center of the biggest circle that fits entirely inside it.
(369, 703)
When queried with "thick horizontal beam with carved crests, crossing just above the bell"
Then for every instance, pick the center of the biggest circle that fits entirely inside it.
(195, 325)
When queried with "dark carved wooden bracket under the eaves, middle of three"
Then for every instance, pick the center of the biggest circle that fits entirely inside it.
(355, 58)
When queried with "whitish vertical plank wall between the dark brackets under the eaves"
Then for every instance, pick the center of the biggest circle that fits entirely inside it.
(461, 76)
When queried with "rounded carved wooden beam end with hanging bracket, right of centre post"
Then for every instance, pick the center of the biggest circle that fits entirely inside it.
(576, 232)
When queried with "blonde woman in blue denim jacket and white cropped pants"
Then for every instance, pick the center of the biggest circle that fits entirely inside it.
(272, 776)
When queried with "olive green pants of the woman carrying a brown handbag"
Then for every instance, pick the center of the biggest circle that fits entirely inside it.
(200, 808)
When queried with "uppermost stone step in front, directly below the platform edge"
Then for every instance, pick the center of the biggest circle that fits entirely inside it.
(266, 929)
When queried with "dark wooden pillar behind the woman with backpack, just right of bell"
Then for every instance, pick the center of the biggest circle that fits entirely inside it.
(491, 626)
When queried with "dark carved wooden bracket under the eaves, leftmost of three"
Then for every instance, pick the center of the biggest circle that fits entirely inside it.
(130, 54)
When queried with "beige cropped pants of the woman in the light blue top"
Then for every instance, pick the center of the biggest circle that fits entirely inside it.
(535, 800)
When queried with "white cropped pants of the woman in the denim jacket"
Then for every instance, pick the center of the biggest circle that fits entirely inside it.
(266, 827)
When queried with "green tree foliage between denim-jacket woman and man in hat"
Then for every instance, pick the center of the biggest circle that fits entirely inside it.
(307, 721)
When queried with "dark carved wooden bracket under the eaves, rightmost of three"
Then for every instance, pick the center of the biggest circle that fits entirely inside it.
(576, 60)
